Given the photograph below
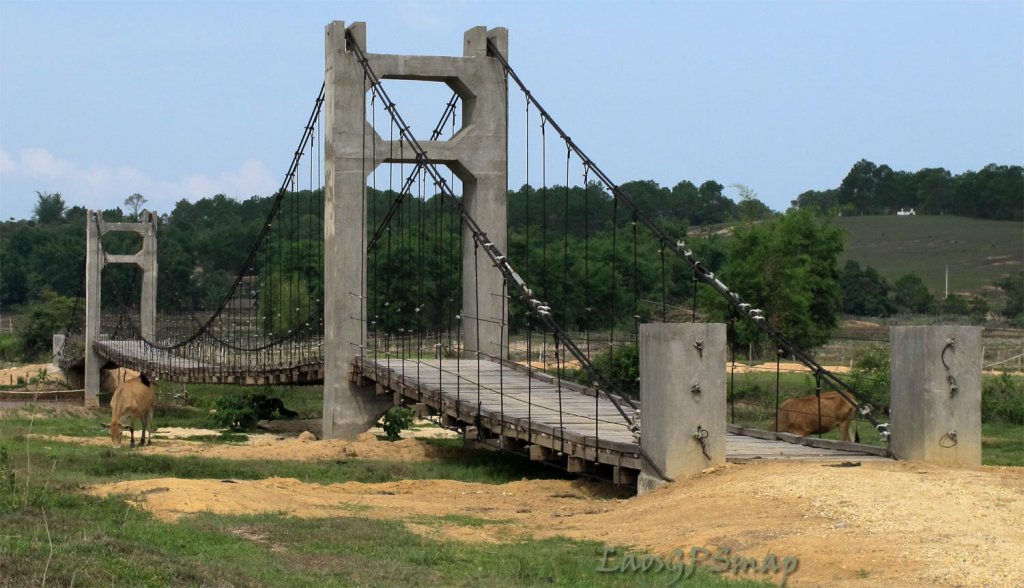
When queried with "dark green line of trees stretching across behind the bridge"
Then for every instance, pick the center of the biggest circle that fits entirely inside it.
(581, 250)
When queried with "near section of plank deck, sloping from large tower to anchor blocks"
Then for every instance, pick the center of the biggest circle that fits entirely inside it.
(552, 421)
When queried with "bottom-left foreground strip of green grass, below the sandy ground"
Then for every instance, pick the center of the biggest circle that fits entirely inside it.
(70, 539)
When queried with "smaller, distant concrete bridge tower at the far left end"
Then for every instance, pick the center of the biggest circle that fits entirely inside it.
(96, 260)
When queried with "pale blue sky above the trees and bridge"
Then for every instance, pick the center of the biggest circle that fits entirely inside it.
(186, 100)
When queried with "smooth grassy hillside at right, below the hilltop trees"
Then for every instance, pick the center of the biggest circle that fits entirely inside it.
(978, 253)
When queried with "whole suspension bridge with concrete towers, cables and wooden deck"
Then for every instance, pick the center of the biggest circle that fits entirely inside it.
(386, 273)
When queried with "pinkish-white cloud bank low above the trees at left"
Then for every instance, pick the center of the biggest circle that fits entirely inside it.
(103, 187)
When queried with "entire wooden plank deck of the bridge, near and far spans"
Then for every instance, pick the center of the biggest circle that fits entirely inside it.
(502, 405)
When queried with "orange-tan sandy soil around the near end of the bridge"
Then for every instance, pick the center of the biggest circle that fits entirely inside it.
(895, 524)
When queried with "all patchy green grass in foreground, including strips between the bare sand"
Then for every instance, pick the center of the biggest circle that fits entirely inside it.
(55, 534)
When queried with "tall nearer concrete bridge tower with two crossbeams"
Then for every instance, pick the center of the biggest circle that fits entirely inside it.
(478, 154)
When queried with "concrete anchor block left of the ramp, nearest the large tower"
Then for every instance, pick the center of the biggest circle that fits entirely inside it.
(682, 395)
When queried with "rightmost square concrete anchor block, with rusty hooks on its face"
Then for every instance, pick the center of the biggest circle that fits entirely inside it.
(935, 408)
